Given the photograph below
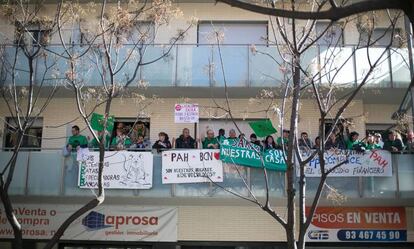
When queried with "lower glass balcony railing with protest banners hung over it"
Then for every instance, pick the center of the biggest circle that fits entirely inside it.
(48, 173)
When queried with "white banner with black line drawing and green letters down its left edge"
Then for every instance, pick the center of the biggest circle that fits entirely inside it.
(122, 170)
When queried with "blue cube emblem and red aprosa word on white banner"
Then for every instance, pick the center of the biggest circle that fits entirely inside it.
(96, 221)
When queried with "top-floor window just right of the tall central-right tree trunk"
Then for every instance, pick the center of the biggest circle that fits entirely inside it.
(333, 36)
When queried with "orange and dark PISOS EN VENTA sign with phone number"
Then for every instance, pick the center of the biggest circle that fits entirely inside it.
(358, 224)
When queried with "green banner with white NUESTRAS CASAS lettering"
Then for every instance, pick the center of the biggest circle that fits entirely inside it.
(241, 152)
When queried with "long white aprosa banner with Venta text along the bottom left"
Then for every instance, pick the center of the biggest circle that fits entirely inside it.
(107, 222)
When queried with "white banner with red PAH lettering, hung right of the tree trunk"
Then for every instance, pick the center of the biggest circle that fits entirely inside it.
(368, 163)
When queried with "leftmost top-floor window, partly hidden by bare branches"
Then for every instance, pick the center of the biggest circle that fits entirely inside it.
(32, 35)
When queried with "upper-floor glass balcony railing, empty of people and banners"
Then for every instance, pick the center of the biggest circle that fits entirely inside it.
(200, 65)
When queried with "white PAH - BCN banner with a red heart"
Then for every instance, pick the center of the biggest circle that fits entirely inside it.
(189, 166)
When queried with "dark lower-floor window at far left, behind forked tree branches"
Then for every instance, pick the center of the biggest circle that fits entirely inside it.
(32, 139)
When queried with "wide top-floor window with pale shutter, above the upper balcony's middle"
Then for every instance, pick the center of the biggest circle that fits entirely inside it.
(236, 33)
